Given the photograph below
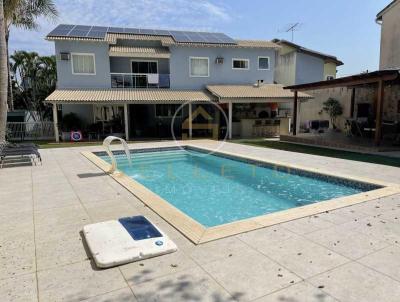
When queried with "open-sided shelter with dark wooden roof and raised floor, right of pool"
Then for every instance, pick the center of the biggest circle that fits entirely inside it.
(373, 117)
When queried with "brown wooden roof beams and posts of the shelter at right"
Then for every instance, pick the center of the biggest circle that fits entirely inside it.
(378, 78)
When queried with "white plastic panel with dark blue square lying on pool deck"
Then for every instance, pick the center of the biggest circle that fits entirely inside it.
(129, 239)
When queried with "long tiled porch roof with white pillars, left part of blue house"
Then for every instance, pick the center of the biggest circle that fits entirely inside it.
(137, 108)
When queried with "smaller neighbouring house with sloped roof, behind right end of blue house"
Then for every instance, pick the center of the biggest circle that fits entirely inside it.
(298, 65)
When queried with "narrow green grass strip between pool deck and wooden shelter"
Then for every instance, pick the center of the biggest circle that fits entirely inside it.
(356, 156)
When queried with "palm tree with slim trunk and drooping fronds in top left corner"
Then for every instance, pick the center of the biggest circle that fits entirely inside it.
(23, 14)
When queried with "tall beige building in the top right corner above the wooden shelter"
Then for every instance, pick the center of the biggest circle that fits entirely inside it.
(389, 18)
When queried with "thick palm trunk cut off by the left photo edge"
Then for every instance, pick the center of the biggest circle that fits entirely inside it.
(3, 76)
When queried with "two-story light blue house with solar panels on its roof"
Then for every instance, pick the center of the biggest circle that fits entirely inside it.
(136, 81)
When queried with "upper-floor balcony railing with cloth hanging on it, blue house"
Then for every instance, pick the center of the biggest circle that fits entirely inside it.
(139, 80)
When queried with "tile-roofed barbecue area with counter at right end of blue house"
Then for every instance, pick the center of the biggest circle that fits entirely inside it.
(259, 110)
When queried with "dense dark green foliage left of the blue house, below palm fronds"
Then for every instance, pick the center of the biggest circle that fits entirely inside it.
(34, 79)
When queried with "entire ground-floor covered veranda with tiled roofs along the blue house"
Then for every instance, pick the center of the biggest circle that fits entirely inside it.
(259, 110)
